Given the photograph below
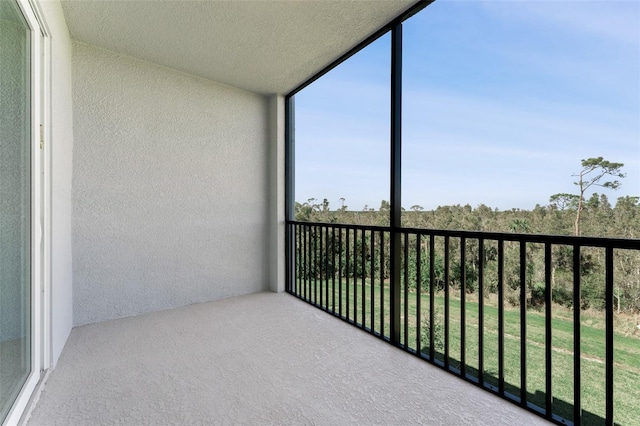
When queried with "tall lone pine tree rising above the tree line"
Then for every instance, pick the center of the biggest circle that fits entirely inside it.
(593, 170)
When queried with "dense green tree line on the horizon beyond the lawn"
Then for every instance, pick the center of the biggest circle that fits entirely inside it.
(565, 214)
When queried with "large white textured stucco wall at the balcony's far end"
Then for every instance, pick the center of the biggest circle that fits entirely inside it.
(170, 180)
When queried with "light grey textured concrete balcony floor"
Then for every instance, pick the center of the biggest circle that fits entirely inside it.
(259, 359)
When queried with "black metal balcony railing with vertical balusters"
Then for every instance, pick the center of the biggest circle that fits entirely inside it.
(476, 304)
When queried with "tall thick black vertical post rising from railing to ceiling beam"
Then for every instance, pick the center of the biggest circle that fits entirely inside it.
(395, 179)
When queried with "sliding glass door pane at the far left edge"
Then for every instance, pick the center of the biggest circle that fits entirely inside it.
(15, 204)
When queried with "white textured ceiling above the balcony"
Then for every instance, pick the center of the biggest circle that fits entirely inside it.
(265, 46)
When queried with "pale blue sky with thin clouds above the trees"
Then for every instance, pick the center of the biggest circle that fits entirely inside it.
(501, 102)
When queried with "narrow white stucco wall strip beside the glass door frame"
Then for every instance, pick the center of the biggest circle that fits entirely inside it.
(61, 140)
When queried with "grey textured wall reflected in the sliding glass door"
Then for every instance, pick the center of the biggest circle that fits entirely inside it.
(14, 177)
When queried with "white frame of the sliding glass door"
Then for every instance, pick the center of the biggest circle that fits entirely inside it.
(40, 303)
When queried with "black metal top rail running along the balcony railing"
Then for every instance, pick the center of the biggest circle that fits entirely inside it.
(617, 243)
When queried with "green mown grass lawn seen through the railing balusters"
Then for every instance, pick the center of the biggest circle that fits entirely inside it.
(626, 356)
